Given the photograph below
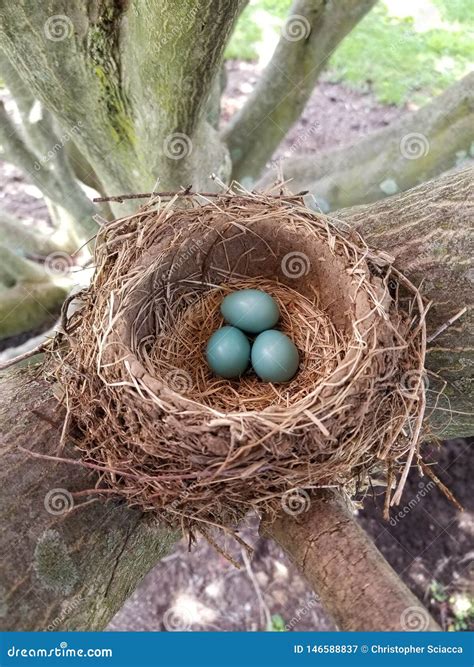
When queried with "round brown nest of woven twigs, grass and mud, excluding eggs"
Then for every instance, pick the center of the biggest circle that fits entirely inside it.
(167, 435)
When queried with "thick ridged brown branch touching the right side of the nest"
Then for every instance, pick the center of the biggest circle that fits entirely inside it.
(429, 231)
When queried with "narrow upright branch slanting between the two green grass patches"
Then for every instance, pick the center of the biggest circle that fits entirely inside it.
(285, 86)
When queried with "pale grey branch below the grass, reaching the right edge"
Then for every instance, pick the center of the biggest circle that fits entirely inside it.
(413, 149)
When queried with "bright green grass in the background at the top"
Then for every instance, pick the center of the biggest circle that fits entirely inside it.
(395, 57)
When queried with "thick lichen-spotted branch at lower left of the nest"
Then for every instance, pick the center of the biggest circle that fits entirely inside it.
(72, 570)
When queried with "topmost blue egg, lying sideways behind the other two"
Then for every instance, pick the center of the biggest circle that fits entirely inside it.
(250, 310)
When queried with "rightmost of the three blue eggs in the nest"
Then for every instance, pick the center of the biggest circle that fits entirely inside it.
(274, 356)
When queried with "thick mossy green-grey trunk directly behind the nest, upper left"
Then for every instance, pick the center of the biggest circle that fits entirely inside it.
(111, 71)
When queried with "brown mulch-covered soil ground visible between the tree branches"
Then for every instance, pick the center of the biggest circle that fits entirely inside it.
(431, 546)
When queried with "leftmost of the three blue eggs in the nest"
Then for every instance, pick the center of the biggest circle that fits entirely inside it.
(228, 352)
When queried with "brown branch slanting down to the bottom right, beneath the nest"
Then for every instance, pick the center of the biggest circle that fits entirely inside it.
(357, 586)
